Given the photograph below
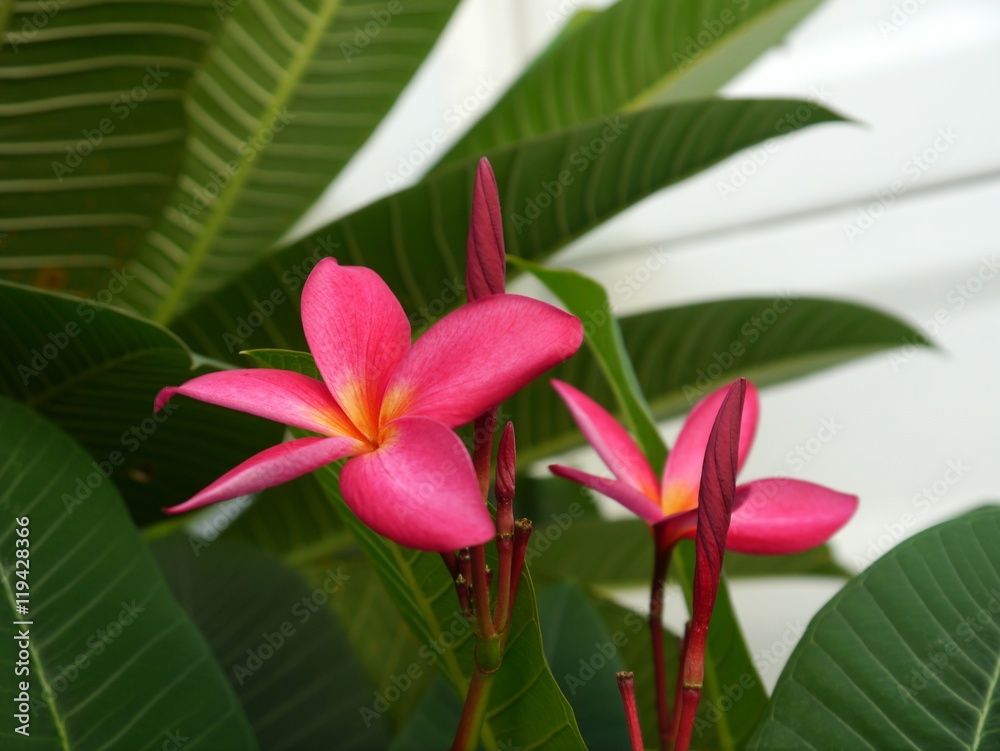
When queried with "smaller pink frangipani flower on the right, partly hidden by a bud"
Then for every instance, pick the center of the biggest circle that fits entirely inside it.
(776, 516)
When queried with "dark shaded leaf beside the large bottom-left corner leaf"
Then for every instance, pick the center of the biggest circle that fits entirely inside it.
(286, 657)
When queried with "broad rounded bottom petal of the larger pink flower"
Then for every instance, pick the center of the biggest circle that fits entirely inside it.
(418, 488)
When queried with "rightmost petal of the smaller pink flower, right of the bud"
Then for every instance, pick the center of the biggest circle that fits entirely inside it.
(781, 516)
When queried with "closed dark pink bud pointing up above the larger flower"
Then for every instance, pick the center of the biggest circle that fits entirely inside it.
(486, 263)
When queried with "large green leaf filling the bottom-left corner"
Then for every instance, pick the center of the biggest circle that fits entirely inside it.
(113, 661)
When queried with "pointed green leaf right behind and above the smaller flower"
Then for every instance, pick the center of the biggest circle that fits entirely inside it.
(678, 356)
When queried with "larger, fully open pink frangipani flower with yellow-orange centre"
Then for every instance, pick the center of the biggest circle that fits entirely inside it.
(389, 404)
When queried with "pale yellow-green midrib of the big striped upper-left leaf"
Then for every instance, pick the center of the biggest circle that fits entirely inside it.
(168, 307)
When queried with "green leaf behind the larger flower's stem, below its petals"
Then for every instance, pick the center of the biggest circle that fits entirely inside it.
(525, 701)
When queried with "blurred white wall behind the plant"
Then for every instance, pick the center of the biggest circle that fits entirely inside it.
(906, 71)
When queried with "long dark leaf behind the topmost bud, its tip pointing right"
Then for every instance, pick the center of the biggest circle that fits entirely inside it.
(415, 239)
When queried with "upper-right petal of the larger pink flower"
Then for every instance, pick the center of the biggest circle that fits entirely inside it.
(479, 355)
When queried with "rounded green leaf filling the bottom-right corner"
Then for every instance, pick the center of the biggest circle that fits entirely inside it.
(906, 655)
